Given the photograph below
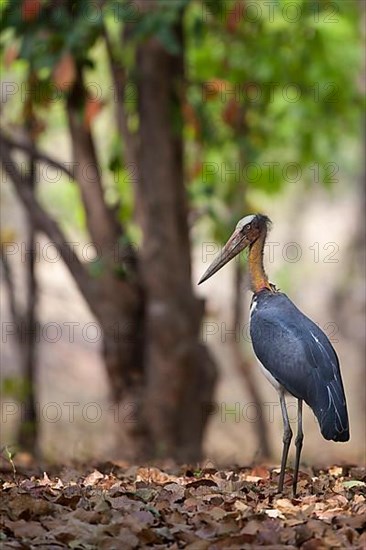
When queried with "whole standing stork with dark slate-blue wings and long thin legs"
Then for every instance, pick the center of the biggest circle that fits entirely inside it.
(293, 352)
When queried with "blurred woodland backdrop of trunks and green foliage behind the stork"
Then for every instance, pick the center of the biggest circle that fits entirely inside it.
(112, 113)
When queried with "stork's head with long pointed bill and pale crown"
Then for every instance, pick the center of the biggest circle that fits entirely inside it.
(247, 231)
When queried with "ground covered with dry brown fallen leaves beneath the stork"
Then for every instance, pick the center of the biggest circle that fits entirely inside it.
(119, 506)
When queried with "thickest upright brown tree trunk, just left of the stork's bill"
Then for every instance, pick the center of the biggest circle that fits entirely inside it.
(180, 371)
